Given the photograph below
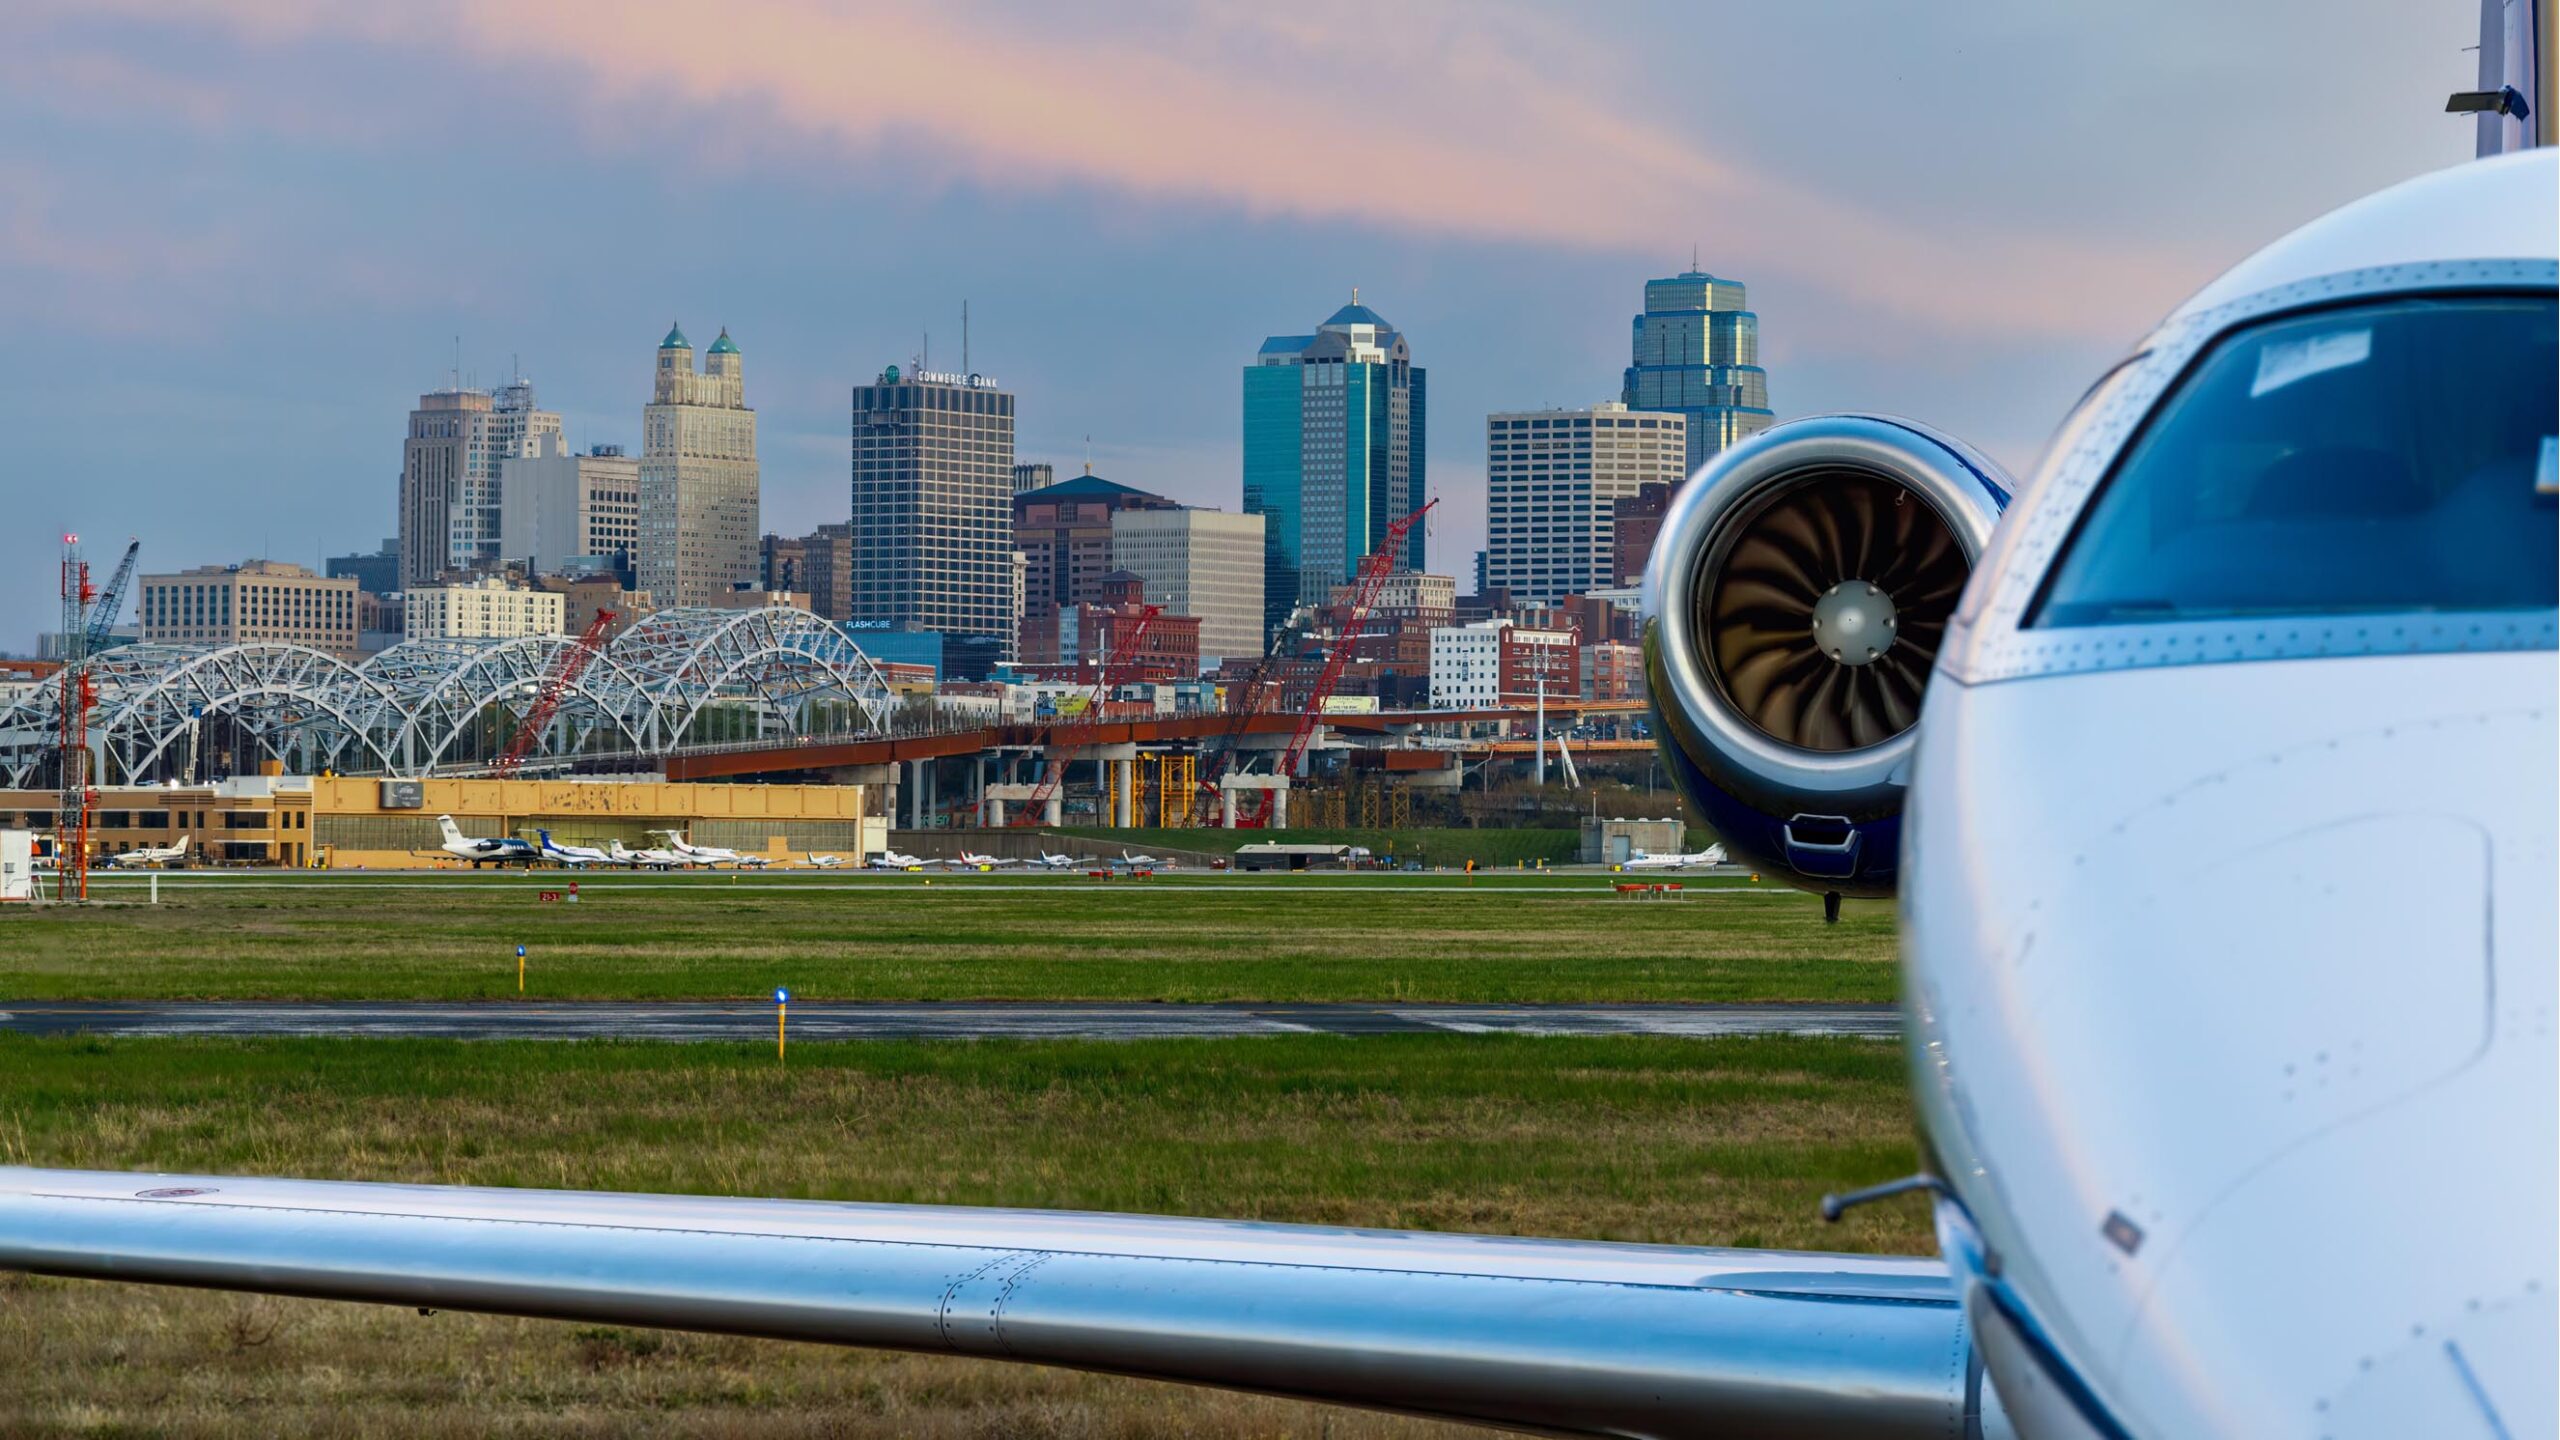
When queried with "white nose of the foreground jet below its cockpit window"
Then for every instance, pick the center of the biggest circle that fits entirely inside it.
(2241, 1060)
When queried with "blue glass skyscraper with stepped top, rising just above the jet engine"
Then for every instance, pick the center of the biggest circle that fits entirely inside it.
(1699, 352)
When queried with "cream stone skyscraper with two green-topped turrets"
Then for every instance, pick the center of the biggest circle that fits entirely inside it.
(700, 488)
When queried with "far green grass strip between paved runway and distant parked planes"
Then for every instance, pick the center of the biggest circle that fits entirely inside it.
(1399, 939)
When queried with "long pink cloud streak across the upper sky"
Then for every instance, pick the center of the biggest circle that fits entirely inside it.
(1471, 122)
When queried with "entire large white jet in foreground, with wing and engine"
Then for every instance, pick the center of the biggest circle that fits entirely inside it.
(2223, 1136)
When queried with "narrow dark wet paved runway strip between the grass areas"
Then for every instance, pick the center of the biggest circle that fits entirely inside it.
(925, 1021)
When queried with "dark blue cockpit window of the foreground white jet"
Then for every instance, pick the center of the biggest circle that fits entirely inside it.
(2367, 460)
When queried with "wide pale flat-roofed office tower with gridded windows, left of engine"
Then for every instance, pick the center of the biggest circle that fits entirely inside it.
(1553, 483)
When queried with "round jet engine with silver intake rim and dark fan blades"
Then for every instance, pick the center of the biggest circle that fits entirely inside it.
(1798, 596)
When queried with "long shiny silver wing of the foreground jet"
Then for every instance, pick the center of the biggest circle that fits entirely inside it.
(1553, 1336)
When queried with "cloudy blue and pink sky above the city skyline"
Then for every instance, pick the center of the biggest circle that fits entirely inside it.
(239, 237)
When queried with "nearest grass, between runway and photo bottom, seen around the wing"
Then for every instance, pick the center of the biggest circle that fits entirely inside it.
(1632, 1139)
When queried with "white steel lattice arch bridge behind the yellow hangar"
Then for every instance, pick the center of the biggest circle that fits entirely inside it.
(449, 703)
